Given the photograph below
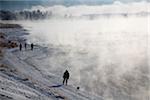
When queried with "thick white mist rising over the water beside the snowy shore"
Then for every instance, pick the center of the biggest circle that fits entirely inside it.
(106, 55)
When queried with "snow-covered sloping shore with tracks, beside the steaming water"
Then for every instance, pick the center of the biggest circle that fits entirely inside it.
(22, 79)
